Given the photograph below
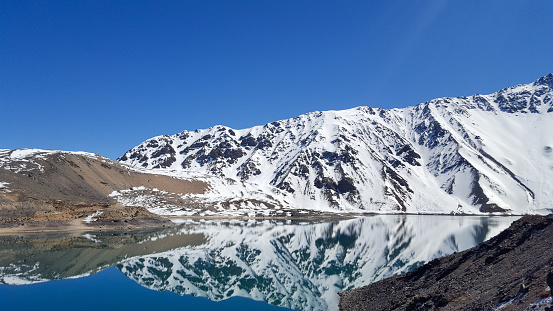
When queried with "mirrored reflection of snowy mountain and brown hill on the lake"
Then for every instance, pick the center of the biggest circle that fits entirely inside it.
(299, 265)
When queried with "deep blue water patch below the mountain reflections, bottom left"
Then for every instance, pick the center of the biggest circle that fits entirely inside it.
(110, 290)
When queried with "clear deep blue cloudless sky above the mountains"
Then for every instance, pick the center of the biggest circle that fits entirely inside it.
(103, 76)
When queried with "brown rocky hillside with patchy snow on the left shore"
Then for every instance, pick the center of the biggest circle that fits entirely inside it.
(55, 188)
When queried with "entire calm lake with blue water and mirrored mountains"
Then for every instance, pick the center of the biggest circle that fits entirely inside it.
(226, 264)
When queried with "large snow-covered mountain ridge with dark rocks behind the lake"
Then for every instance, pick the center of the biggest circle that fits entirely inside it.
(477, 154)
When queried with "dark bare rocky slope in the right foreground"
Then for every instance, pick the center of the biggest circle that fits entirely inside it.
(512, 271)
